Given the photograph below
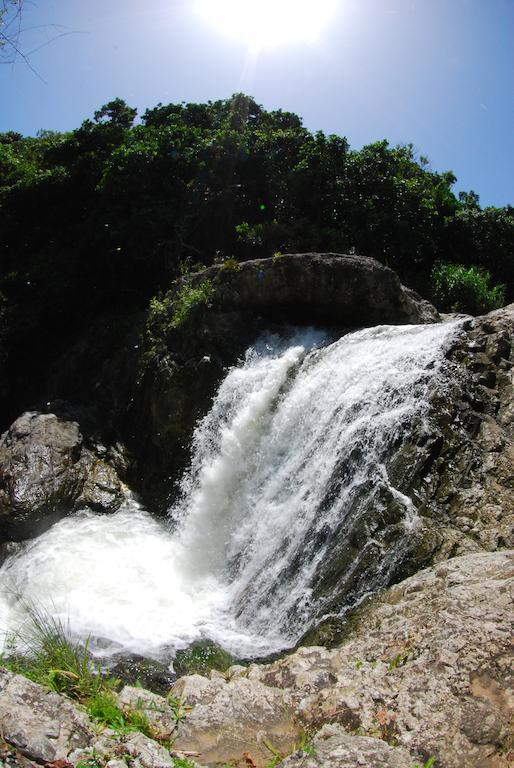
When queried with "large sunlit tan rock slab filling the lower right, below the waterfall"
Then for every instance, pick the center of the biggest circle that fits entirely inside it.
(427, 667)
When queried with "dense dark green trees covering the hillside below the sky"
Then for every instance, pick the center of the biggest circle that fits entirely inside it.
(100, 219)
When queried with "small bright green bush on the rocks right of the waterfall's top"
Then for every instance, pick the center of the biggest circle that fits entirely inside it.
(460, 289)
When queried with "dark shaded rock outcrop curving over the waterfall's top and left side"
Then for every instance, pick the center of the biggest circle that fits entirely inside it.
(185, 364)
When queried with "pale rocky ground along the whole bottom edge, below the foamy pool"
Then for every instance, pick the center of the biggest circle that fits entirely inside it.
(425, 673)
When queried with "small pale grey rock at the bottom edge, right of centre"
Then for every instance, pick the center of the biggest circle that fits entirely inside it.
(332, 747)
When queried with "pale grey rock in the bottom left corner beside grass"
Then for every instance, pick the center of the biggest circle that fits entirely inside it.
(42, 725)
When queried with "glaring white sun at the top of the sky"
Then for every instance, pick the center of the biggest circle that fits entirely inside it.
(268, 23)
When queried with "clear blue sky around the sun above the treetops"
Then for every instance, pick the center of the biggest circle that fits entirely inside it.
(434, 73)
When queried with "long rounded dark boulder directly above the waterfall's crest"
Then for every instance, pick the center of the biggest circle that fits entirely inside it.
(324, 288)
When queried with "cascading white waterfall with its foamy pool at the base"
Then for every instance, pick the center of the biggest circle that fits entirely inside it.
(283, 505)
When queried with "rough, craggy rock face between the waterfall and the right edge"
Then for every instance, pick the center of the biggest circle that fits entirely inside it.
(465, 491)
